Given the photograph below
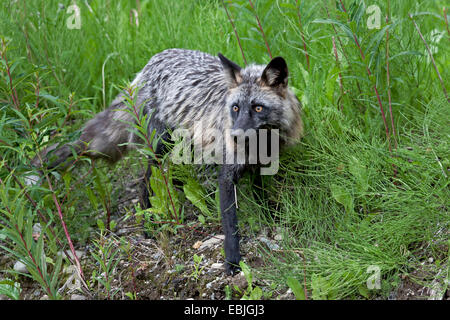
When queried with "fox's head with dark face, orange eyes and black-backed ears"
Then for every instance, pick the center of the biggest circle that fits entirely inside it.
(259, 98)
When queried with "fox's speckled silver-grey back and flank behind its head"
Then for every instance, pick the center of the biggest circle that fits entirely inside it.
(181, 87)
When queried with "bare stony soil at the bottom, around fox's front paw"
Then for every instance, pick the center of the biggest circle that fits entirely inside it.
(163, 268)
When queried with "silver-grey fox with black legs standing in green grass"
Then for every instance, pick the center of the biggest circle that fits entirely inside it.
(188, 89)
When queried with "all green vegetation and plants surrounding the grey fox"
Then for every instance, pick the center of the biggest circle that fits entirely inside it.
(359, 209)
